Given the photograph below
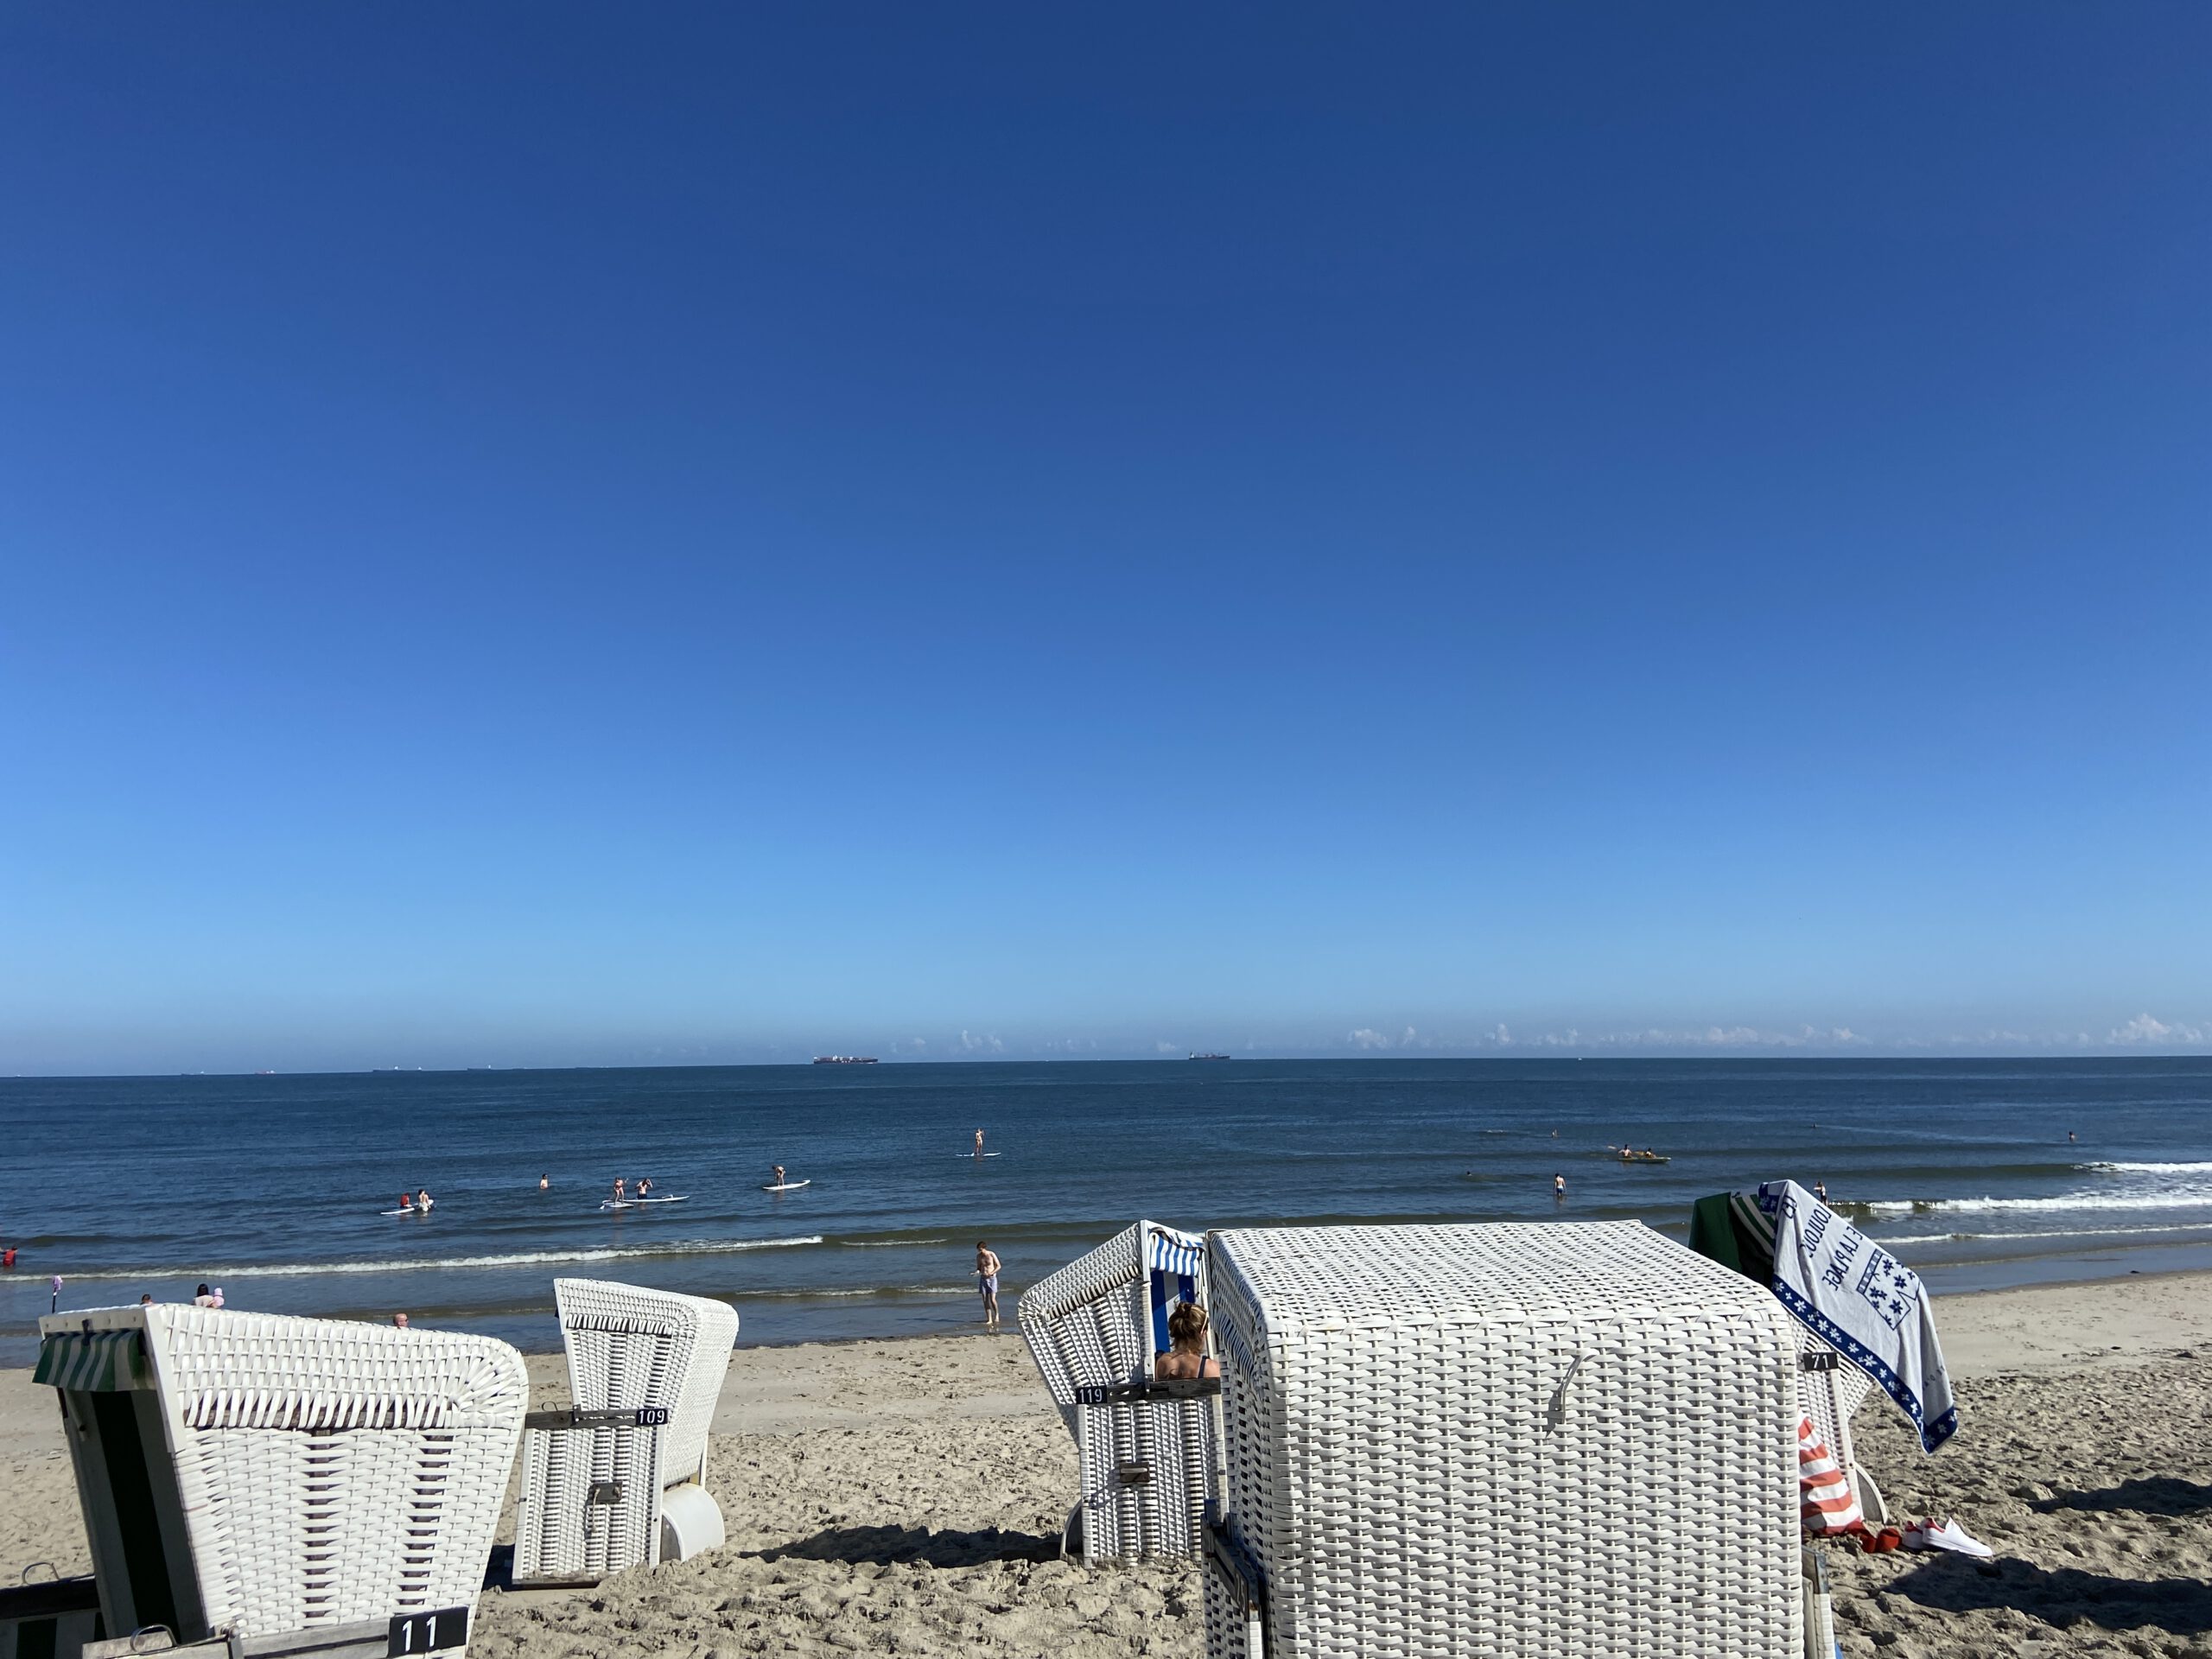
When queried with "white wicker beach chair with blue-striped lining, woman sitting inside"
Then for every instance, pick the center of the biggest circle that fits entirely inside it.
(1147, 1448)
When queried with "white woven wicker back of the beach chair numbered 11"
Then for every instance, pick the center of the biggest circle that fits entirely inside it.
(333, 1472)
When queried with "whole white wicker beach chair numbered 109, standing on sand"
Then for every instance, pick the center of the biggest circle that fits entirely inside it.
(620, 1481)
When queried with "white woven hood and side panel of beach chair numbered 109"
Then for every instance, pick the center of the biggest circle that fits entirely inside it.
(634, 1348)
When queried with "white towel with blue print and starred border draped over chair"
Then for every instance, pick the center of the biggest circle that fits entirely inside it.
(1857, 1297)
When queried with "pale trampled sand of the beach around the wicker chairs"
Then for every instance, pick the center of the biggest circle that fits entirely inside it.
(906, 1499)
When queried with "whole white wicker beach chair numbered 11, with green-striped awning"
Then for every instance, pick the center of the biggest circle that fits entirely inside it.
(286, 1481)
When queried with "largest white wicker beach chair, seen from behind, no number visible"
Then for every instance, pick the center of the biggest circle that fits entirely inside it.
(1501, 1441)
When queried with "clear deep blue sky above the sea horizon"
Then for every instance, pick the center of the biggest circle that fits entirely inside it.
(543, 534)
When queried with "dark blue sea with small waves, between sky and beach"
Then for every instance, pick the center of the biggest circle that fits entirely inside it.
(273, 1187)
